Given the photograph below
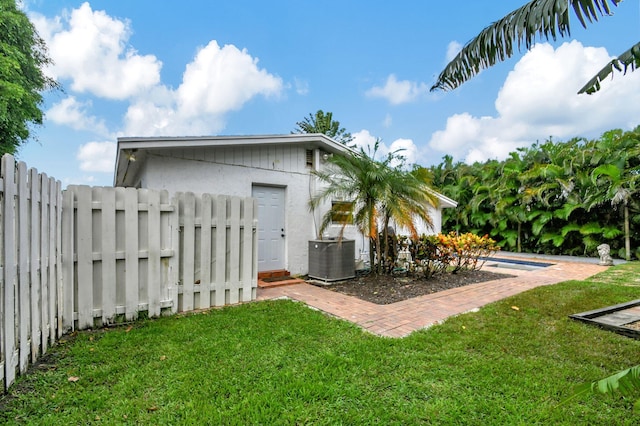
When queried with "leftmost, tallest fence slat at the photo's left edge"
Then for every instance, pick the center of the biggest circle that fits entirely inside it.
(9, 270)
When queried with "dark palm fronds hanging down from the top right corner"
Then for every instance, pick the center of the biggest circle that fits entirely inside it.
(545, 18)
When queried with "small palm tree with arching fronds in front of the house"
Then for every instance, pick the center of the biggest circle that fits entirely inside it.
(377, 192)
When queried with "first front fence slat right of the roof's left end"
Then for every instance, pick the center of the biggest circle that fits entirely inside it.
(131, 253)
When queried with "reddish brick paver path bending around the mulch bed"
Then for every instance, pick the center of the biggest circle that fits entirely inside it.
(402, 318)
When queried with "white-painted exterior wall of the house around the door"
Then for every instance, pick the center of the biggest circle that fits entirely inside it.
(233, 171)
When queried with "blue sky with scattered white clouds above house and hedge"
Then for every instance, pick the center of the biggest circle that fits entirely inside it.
(151, 68)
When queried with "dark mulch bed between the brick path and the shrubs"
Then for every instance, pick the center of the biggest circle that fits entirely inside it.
(386, 289)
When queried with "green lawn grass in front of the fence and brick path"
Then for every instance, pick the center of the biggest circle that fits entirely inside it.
(279, 362)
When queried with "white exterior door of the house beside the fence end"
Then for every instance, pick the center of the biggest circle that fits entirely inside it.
(271, 231)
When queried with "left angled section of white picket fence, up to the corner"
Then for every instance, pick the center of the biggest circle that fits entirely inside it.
(31, 279)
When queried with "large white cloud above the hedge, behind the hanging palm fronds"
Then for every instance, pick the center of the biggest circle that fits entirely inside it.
(539, 99)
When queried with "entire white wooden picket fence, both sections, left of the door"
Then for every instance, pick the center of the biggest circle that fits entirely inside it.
(90, 256)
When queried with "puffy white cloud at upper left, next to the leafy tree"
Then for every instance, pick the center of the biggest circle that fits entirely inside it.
(90, 48)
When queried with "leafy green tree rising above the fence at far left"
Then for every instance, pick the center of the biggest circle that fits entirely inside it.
(23, 54)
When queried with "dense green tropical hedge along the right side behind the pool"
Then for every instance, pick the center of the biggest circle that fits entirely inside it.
(552, 197)
